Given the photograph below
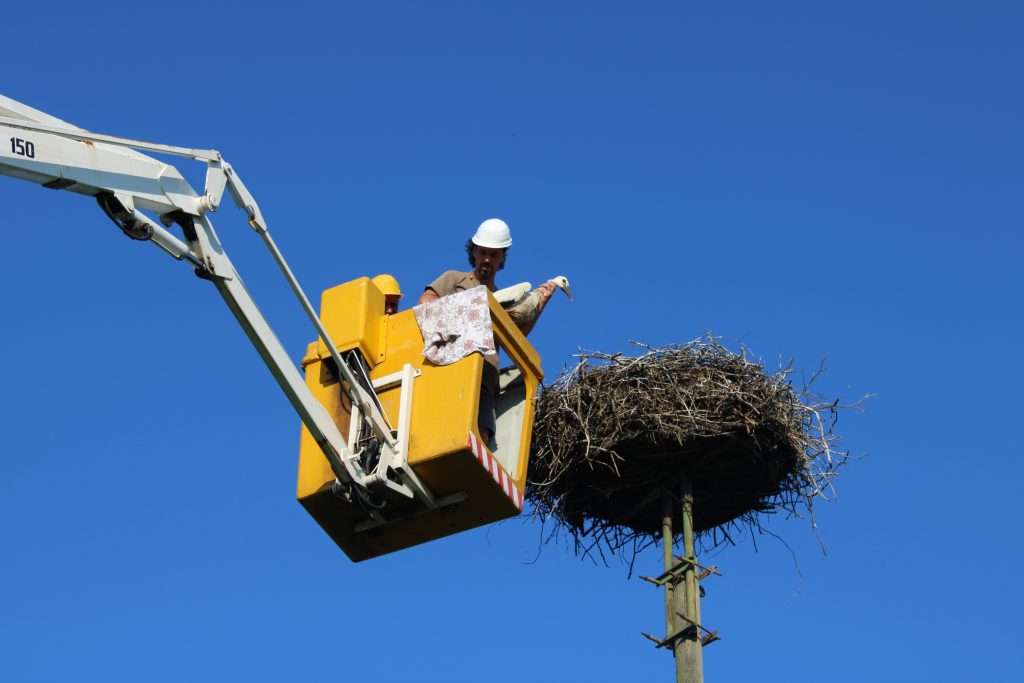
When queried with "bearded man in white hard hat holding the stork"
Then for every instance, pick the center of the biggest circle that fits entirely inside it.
(487, 250)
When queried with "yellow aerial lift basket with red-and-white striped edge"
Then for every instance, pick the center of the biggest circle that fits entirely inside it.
(478, 484)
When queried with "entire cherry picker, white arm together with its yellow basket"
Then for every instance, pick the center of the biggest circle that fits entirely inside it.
(383, 487)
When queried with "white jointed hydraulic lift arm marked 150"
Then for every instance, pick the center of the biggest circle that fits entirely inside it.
(50, 152)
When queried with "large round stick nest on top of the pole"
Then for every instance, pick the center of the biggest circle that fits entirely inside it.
(616, 432)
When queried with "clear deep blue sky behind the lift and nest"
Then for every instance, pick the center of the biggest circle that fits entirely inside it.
(806, 178)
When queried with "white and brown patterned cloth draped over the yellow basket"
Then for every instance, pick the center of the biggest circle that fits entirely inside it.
(456, 326)
